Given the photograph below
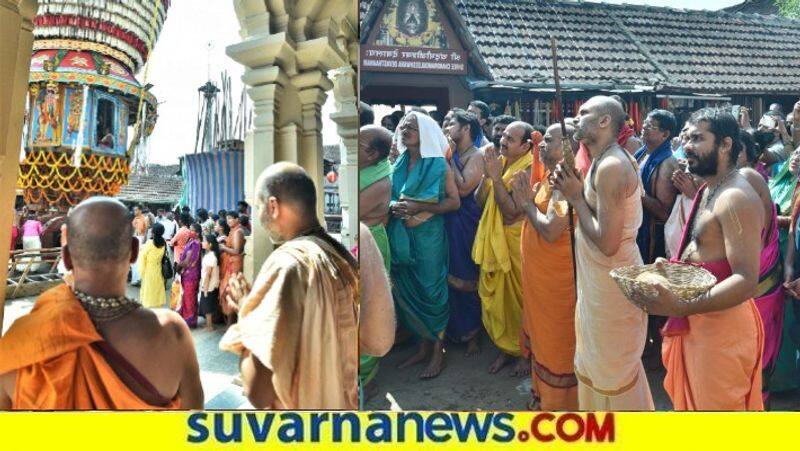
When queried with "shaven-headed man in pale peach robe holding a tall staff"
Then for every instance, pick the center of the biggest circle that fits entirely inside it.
(610, 331)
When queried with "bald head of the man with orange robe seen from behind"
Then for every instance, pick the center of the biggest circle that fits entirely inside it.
(98, 231)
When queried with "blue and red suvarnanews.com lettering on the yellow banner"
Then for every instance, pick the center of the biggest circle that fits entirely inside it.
(400, 427)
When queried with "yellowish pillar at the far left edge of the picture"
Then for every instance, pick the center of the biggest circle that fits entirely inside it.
(16, 42)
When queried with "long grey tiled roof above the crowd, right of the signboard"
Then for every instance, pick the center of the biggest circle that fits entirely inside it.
(629, 45)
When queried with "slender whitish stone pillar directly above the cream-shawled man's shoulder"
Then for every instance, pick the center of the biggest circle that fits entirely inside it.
(346, 118)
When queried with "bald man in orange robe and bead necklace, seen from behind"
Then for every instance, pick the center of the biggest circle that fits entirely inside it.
(70, 354)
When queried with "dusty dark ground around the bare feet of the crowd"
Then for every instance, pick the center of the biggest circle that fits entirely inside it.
(465, 384)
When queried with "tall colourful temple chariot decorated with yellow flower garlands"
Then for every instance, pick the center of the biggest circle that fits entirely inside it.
(83, 97)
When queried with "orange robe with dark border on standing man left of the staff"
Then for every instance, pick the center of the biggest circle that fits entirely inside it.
(548, 313)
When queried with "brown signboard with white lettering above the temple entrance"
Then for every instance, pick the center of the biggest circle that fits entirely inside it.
(413, 60)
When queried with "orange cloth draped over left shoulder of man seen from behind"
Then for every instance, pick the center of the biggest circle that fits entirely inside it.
(54, 350)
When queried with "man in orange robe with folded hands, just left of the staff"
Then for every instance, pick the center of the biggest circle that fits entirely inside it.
(548, 283)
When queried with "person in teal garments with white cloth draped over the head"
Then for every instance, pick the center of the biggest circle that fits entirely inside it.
(423, 189)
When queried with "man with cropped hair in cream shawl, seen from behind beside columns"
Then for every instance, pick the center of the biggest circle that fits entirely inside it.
(297, 334)
